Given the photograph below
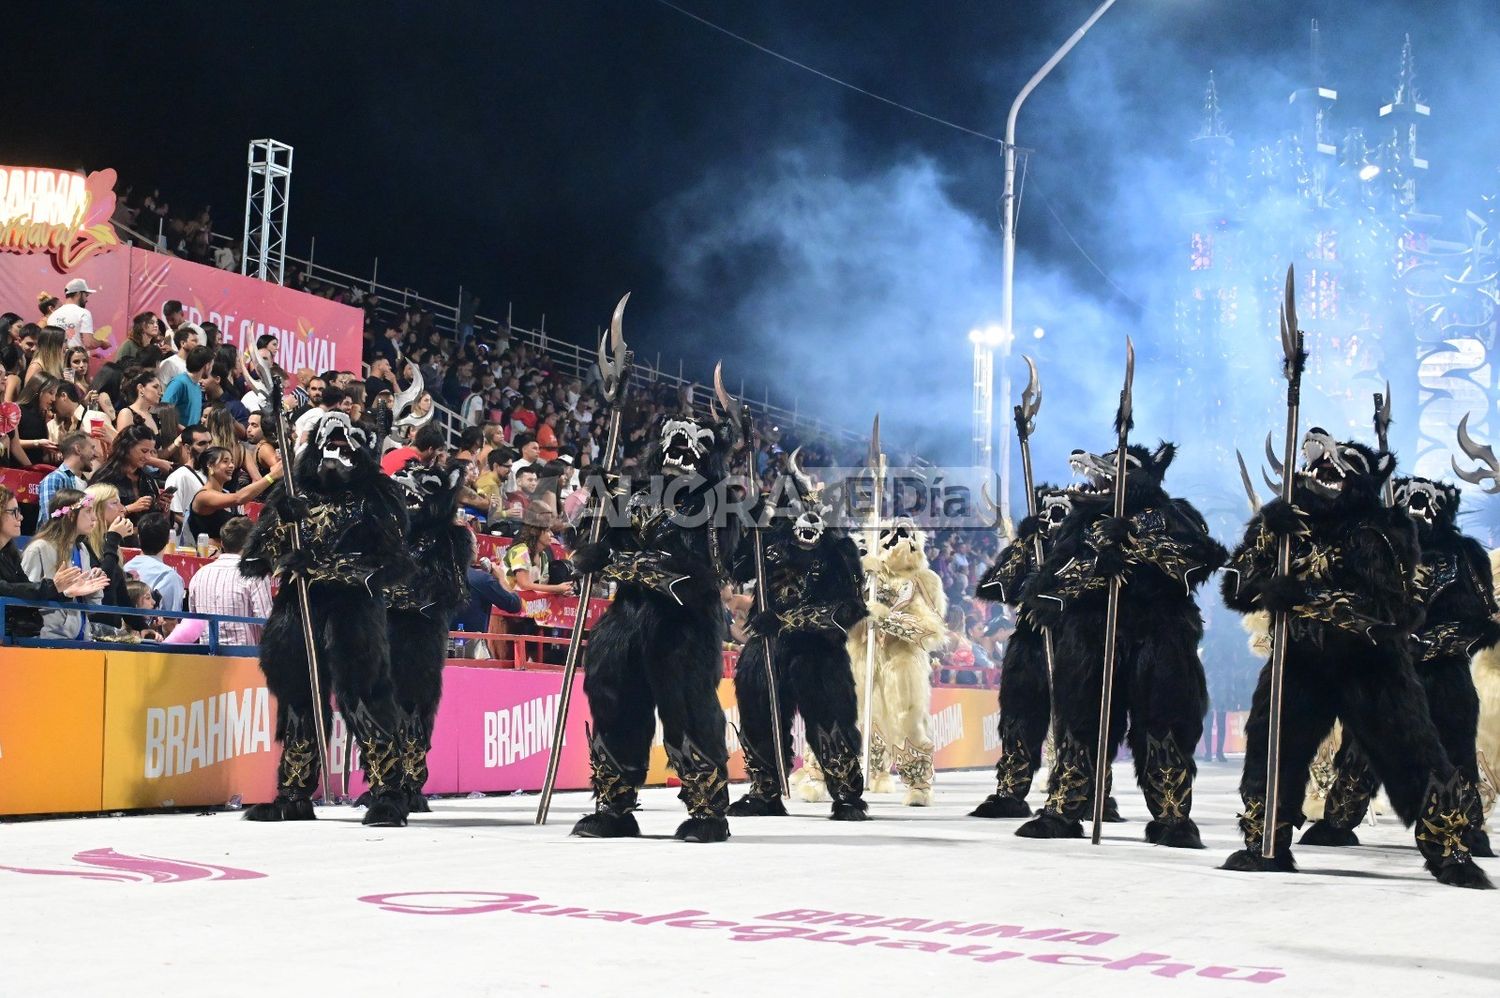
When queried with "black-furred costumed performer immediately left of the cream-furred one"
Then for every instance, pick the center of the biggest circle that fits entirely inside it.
(815, 588)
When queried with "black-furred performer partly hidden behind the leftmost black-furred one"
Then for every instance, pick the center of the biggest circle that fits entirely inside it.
(421, 612)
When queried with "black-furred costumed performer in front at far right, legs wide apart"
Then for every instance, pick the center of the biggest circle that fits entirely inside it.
(1349, 655)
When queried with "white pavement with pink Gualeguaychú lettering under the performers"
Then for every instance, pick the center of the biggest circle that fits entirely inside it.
(475, 900)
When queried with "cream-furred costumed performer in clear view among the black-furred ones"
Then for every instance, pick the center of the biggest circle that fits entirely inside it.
(908, 613)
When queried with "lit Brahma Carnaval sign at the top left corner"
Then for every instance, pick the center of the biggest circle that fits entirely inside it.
(58, 212)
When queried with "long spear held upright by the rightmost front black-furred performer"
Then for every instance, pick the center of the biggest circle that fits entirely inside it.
(1292, 364)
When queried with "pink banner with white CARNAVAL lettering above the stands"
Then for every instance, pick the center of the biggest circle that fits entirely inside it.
(314, 332)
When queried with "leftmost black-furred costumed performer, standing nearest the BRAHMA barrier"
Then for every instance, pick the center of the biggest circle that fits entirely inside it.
(353, 528)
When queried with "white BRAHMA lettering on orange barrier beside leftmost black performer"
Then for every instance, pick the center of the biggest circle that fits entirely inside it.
(205, 733)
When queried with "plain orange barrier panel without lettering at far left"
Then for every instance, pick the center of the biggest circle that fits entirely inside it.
(52, 732)
